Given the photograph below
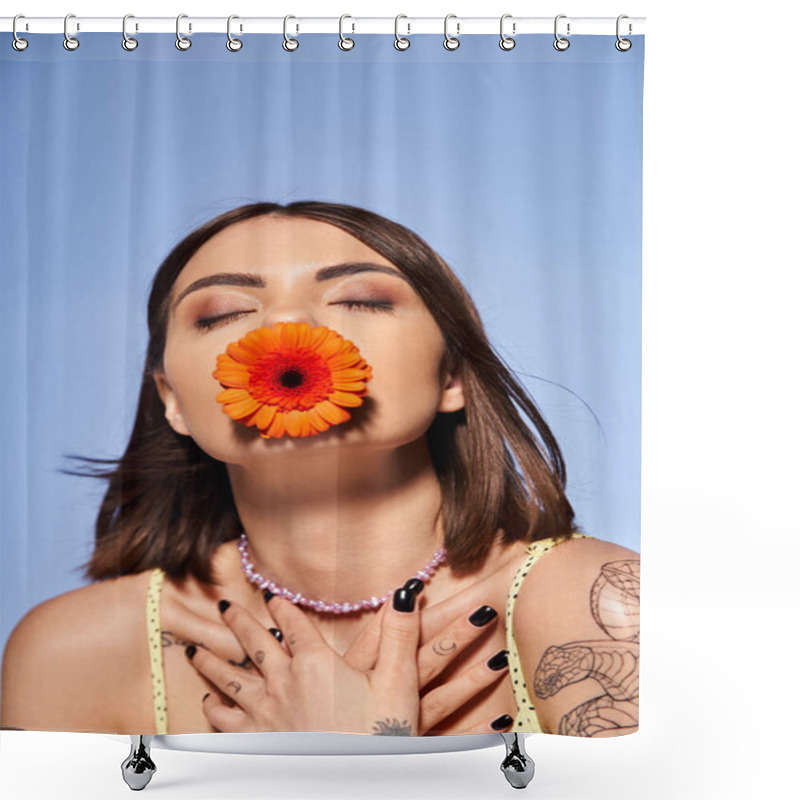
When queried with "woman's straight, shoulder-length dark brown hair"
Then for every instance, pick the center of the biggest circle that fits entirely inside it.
(169, 504)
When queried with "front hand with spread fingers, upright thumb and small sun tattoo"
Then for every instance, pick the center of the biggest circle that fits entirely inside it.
(311, 687)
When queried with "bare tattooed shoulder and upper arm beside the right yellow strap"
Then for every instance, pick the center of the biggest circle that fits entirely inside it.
(576, 624)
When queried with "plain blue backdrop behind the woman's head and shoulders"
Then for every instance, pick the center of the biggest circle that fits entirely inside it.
(521, 168)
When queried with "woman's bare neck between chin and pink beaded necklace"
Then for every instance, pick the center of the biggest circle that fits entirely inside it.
(341, 528)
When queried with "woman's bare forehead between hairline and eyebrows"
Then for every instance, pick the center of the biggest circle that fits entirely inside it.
(274, 244)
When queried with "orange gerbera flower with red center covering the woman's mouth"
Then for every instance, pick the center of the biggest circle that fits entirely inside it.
(291, 379)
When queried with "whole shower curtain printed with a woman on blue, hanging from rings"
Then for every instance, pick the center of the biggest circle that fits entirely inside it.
(323, 355)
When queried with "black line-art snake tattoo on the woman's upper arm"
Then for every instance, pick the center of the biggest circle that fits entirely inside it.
(612, 662)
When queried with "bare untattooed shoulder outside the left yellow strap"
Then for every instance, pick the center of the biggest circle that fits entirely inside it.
(67, 658)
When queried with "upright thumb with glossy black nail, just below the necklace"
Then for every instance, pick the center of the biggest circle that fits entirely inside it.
(396, 665)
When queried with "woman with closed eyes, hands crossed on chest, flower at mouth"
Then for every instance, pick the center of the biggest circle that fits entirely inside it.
(422, 458)
